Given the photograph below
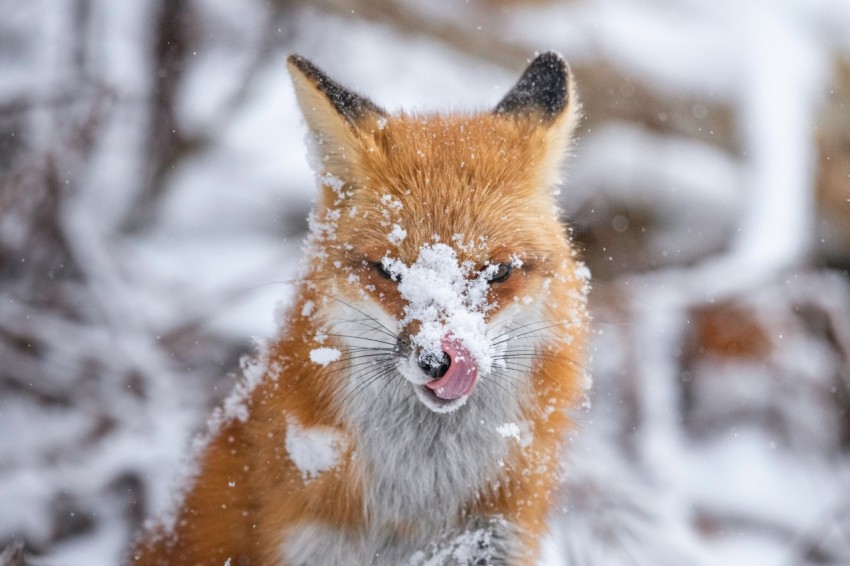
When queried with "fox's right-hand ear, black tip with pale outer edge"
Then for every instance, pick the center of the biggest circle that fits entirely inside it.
(545, 98)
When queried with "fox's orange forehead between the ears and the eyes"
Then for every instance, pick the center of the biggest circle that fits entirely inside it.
(468, 181)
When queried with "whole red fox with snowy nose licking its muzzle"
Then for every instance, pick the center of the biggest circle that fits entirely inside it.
(414, 407)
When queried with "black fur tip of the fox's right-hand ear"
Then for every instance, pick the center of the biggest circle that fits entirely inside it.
(543, 87)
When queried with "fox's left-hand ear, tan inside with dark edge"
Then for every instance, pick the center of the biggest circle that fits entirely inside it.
(335, 115)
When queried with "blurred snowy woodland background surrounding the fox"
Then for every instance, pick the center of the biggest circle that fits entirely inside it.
(153, 196)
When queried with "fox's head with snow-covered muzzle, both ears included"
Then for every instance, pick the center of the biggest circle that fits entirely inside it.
(440, 234)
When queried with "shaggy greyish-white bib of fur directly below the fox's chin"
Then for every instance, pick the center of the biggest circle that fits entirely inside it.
(424, 468)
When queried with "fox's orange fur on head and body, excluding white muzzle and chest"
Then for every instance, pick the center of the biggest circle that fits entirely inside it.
(488, 177)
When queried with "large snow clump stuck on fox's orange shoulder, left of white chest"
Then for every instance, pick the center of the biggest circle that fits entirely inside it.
(313, 450)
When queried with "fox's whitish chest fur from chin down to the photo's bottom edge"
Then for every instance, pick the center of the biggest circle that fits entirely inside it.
(420, 469)
